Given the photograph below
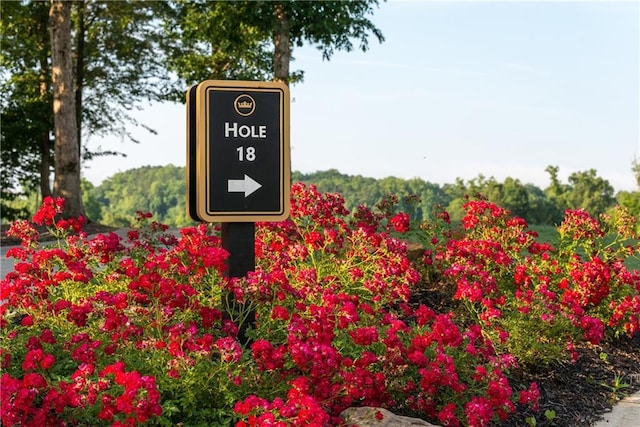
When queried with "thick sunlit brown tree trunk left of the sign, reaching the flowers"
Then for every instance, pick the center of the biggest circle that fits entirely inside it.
(67, 161)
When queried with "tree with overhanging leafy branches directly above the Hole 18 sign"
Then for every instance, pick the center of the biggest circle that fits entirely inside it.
(254, 40)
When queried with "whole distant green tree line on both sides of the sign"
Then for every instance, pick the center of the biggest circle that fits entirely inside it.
(161, 191)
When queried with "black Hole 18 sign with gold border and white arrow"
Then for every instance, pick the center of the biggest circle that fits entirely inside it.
(238, 155)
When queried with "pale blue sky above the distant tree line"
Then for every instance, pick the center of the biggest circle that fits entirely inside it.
(456, 90)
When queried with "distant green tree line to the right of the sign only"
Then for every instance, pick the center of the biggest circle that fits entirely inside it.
(584, 190)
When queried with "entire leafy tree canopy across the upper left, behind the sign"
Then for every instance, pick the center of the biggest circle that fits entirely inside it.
(127, 53)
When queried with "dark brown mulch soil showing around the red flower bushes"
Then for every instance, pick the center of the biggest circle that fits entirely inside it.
(574, 394)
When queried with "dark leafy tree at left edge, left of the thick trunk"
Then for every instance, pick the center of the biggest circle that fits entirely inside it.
(26, 102)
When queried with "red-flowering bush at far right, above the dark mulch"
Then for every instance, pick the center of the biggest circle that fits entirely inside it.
(536, 300)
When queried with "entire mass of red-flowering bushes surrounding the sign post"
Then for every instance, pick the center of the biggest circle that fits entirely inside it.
(106, 330)
